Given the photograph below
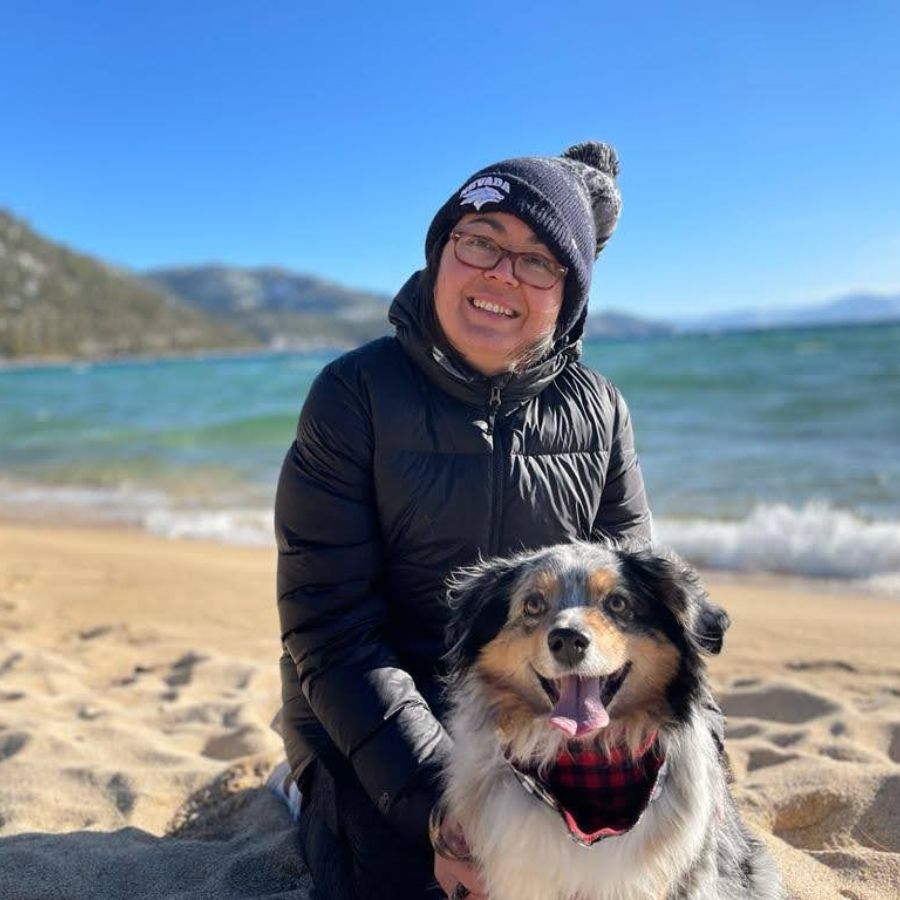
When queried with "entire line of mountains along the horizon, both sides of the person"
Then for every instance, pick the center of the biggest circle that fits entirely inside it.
(55, 302)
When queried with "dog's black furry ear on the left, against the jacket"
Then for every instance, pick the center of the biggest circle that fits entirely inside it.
(478, 598)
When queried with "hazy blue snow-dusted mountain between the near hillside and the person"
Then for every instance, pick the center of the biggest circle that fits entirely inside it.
(279, 307)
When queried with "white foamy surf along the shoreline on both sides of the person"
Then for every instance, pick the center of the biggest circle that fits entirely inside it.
(815, 540)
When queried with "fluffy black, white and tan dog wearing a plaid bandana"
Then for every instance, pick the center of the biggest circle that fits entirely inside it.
(587, 760)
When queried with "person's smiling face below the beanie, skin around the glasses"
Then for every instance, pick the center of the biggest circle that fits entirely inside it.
(520, 316)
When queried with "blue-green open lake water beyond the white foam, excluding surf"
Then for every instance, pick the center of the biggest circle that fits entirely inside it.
(723, 422)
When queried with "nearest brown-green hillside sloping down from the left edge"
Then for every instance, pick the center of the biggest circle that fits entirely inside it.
(58, 303)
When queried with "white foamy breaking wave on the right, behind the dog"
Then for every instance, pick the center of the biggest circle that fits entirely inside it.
(814, 540)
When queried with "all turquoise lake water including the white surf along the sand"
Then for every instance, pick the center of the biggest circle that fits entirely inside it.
(775, 451)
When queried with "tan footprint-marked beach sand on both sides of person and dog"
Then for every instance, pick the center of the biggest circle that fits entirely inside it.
(138, 678)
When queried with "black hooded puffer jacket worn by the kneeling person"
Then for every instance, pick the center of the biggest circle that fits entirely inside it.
(405, 466)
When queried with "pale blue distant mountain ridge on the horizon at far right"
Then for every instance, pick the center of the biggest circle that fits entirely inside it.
(851, 309)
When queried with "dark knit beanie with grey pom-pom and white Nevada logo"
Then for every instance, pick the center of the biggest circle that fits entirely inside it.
(571, 202)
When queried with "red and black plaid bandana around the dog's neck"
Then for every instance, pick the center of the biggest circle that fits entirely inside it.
(599, 796)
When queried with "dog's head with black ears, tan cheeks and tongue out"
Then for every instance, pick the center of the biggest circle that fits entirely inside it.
(590, 640)
